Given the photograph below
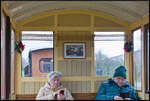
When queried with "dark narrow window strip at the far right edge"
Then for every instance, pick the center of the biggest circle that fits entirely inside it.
(146, 28)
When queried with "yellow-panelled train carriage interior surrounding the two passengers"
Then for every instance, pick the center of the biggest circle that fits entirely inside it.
(84, 40)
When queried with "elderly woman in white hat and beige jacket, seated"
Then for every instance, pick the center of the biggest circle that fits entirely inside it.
(53, 90)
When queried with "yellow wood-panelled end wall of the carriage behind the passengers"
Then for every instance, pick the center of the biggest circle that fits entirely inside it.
(74, 26)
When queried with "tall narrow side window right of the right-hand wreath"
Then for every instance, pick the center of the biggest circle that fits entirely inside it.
(137, 59)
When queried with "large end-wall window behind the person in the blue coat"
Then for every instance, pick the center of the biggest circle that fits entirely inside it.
(108, 51)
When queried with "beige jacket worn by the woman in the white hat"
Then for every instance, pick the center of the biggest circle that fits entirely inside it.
(46, 93)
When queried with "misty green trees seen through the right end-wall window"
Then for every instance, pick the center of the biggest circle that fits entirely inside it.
(106, 64)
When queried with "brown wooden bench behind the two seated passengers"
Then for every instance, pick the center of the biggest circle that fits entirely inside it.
(76, 96)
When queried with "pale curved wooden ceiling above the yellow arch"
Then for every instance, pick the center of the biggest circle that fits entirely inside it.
(128, 11)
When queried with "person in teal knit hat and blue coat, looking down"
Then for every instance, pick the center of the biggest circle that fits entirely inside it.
(117, 88)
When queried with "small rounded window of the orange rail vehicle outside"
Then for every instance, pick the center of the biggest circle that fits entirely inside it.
(46, 65)
